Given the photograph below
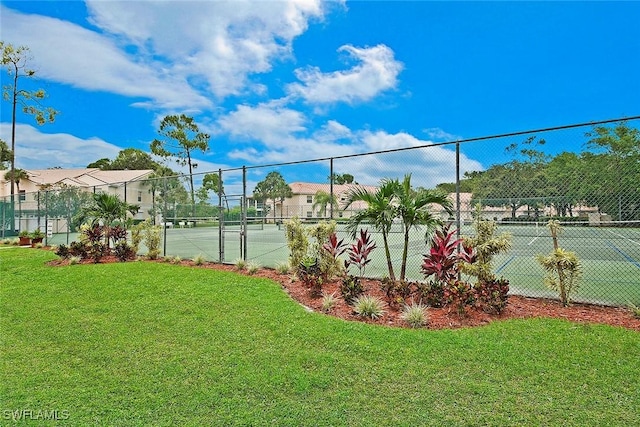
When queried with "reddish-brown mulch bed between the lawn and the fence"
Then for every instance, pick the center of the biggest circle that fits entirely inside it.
(518, 307)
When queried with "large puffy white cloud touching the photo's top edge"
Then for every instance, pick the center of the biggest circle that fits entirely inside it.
(219, 42)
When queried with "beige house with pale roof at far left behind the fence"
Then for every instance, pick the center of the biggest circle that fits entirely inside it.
(129, 185)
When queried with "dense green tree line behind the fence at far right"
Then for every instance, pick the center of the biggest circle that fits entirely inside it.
(606, 176)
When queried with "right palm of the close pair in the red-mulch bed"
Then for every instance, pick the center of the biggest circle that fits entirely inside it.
(414, 208)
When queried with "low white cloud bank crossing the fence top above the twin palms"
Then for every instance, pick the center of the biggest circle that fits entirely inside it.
(277, 135)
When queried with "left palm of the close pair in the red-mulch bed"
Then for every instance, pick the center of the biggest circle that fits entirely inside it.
(380, 212)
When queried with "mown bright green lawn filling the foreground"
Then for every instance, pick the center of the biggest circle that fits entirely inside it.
(158, 344)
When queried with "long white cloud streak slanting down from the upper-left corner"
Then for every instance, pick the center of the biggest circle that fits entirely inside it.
(73, 55)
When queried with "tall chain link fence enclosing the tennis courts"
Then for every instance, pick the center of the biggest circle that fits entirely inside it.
(587, 177)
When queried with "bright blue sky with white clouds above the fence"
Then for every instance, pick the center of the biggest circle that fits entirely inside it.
(279, 81)
